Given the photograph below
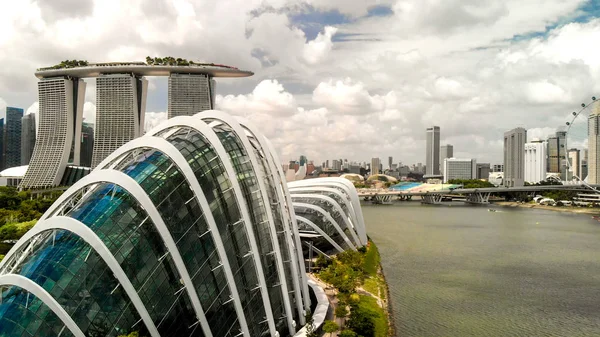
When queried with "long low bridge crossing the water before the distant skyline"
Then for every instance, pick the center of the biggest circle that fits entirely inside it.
(470, 195)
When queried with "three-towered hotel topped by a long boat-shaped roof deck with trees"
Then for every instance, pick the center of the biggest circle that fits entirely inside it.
(121, 90)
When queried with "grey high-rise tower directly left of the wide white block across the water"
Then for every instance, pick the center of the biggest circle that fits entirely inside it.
(514, 161)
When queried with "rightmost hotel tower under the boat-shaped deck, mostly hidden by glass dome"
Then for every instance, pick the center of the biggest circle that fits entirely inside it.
(190, 94)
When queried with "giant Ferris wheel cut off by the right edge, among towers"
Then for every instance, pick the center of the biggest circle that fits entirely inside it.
(582, 146)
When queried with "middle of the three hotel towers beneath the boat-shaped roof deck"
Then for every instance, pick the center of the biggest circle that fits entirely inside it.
(120, 110)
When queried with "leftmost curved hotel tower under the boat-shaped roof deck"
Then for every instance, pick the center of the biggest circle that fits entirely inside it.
(60, 113)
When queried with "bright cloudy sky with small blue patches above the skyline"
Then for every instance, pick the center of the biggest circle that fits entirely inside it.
(336, 78)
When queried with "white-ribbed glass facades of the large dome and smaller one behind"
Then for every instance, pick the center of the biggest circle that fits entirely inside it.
(195, 211)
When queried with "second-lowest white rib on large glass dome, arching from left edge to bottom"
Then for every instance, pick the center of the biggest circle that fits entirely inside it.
(88, 235)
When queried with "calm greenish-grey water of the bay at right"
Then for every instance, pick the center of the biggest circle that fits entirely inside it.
(463, 271)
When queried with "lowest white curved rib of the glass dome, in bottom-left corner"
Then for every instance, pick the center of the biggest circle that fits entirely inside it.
(39, 292)
